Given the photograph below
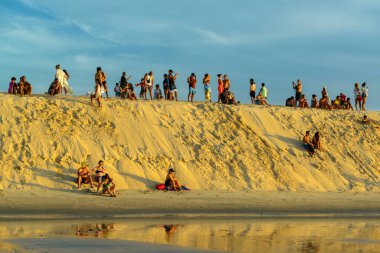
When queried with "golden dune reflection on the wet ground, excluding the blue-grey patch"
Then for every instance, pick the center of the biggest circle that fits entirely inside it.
(294, 235)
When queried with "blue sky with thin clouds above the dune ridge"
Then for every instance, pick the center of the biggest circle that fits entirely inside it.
(333, 43)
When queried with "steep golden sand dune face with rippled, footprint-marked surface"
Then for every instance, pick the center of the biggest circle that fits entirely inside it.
(212, 146)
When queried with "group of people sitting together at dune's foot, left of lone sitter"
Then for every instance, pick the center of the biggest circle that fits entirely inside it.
(102, 178)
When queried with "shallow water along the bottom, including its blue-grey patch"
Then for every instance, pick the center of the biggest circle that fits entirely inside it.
(193, 235)
